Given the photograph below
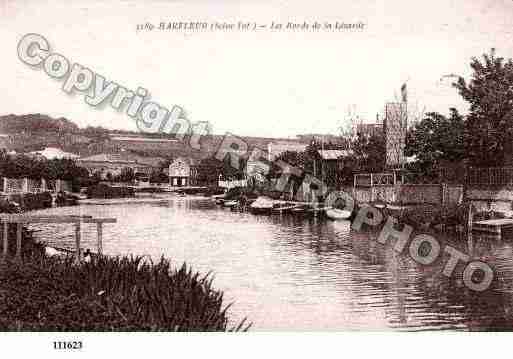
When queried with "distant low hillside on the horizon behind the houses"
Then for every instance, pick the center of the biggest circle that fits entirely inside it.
(25, 133)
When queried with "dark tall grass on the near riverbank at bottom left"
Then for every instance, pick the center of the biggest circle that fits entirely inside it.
(109, 293)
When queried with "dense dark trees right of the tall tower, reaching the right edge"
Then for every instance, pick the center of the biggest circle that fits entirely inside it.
(481, 138)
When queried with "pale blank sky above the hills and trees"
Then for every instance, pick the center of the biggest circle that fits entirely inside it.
(261, 83)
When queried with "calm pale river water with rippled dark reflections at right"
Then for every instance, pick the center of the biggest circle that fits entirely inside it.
(303, 274)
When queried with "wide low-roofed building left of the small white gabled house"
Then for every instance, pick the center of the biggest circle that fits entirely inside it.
(114, 163)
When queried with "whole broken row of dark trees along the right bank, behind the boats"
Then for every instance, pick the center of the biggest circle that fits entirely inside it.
(481, 138)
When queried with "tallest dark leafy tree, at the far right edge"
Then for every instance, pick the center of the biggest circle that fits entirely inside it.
(489, 125)
